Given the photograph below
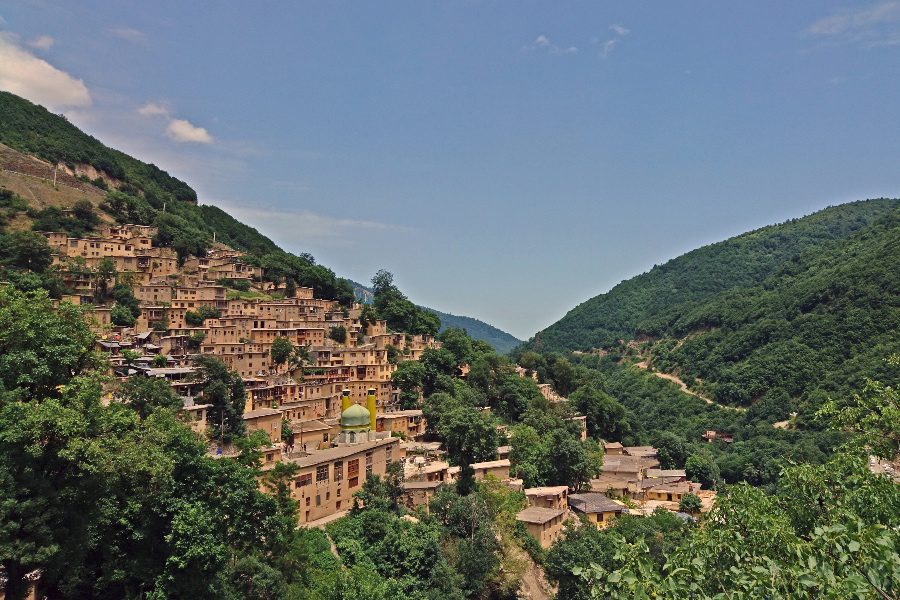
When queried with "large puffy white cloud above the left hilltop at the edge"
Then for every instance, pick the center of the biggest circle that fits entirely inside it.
(24, 74)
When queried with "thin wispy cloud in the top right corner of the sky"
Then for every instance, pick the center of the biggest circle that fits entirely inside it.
(871, 26)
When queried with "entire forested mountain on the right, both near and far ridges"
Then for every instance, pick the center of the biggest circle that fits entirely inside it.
(787, 314)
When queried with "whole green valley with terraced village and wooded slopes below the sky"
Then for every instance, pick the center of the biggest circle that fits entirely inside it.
(189, 411)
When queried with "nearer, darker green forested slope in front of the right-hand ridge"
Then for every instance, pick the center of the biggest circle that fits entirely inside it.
(815, 328)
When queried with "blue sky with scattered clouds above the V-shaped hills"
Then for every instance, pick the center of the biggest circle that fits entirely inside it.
(505, 161)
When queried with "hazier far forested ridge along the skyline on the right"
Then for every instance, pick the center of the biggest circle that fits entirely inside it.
(648, 303)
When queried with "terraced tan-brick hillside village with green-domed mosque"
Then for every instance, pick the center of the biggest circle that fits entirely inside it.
(329, 406)
